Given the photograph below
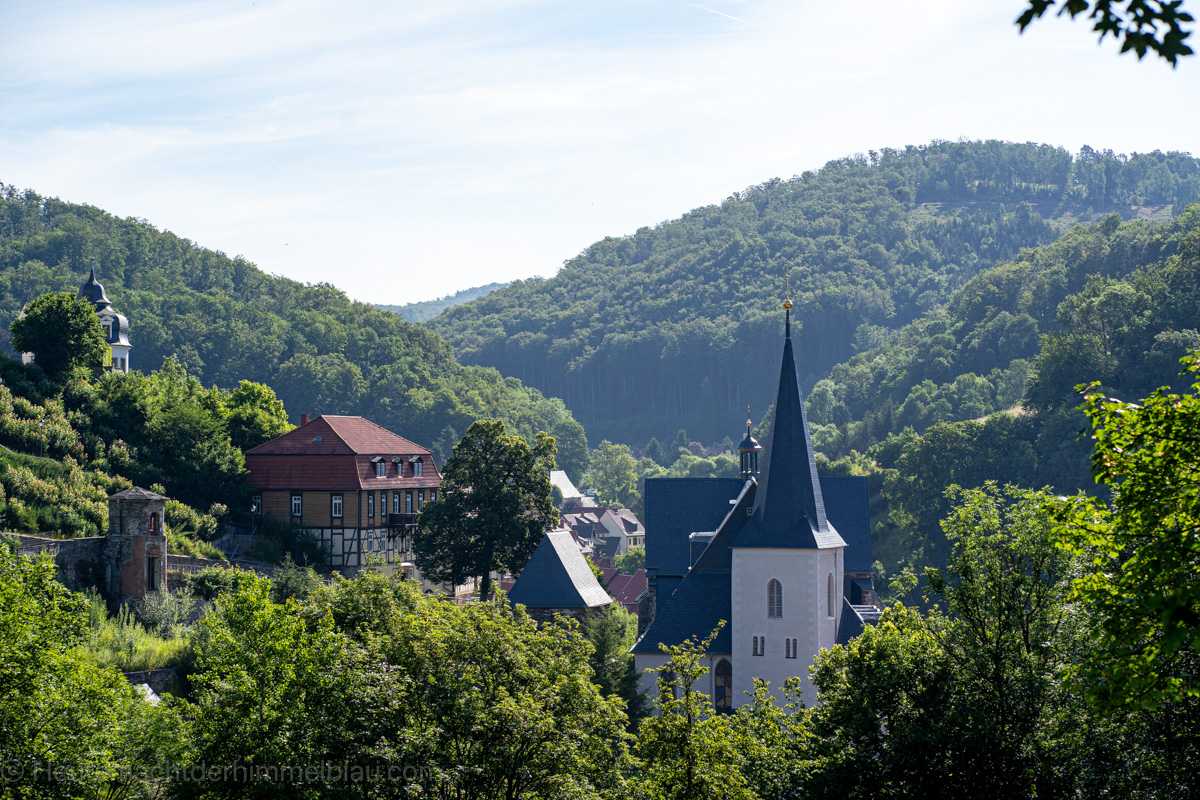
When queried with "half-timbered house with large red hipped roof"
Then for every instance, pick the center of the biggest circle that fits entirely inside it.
(355, 485)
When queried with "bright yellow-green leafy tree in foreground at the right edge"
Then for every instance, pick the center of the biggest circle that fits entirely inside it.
(1144, 548)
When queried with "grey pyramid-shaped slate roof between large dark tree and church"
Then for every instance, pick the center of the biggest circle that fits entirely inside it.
(559, 578)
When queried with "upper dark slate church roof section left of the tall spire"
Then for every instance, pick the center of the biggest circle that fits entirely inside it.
(677, 508)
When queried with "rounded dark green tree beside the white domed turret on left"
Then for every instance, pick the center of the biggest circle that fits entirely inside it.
(63, 333)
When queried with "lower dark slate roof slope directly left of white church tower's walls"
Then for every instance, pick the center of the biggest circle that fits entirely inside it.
(701, 601)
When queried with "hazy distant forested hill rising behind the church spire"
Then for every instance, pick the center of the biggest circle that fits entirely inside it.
(676, 326)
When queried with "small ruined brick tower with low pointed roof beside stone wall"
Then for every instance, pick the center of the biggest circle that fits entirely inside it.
(136, 548)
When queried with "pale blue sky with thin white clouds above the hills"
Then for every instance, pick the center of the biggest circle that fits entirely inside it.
(406, 151)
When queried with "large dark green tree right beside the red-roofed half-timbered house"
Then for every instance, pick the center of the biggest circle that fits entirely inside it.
(495, 507)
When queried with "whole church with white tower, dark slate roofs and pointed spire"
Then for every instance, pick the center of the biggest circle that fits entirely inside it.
(782, 556)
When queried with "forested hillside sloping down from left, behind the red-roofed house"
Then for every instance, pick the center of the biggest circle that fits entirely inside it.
(227, 321)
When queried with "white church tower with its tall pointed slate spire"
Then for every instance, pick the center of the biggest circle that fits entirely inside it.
(788, 561)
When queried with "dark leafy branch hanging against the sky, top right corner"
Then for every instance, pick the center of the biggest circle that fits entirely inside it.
(1144, 26)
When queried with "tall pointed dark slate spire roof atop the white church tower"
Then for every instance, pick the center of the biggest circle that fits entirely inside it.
(789, 508)
